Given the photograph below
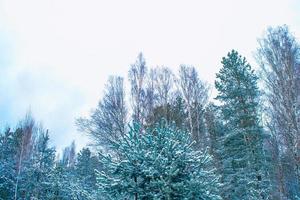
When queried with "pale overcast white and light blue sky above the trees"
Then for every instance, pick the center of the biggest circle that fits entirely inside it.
(56, 55)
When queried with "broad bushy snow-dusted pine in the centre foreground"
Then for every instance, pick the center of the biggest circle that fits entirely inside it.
(157, 164)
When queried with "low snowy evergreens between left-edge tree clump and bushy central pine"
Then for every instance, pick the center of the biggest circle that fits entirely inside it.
(74, 180)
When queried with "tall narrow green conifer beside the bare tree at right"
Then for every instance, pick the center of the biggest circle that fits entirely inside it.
(243, 157)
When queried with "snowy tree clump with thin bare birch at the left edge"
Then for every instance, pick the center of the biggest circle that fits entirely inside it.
(26, 162)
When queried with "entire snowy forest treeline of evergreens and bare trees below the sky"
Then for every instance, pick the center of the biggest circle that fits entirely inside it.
(170, 141)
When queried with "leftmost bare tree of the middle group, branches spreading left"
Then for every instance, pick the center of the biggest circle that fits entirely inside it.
(107, 122)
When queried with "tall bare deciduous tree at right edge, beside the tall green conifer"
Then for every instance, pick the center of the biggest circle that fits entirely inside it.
(279, 58)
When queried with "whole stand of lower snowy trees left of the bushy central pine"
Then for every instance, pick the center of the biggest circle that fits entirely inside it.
(28, 169)
